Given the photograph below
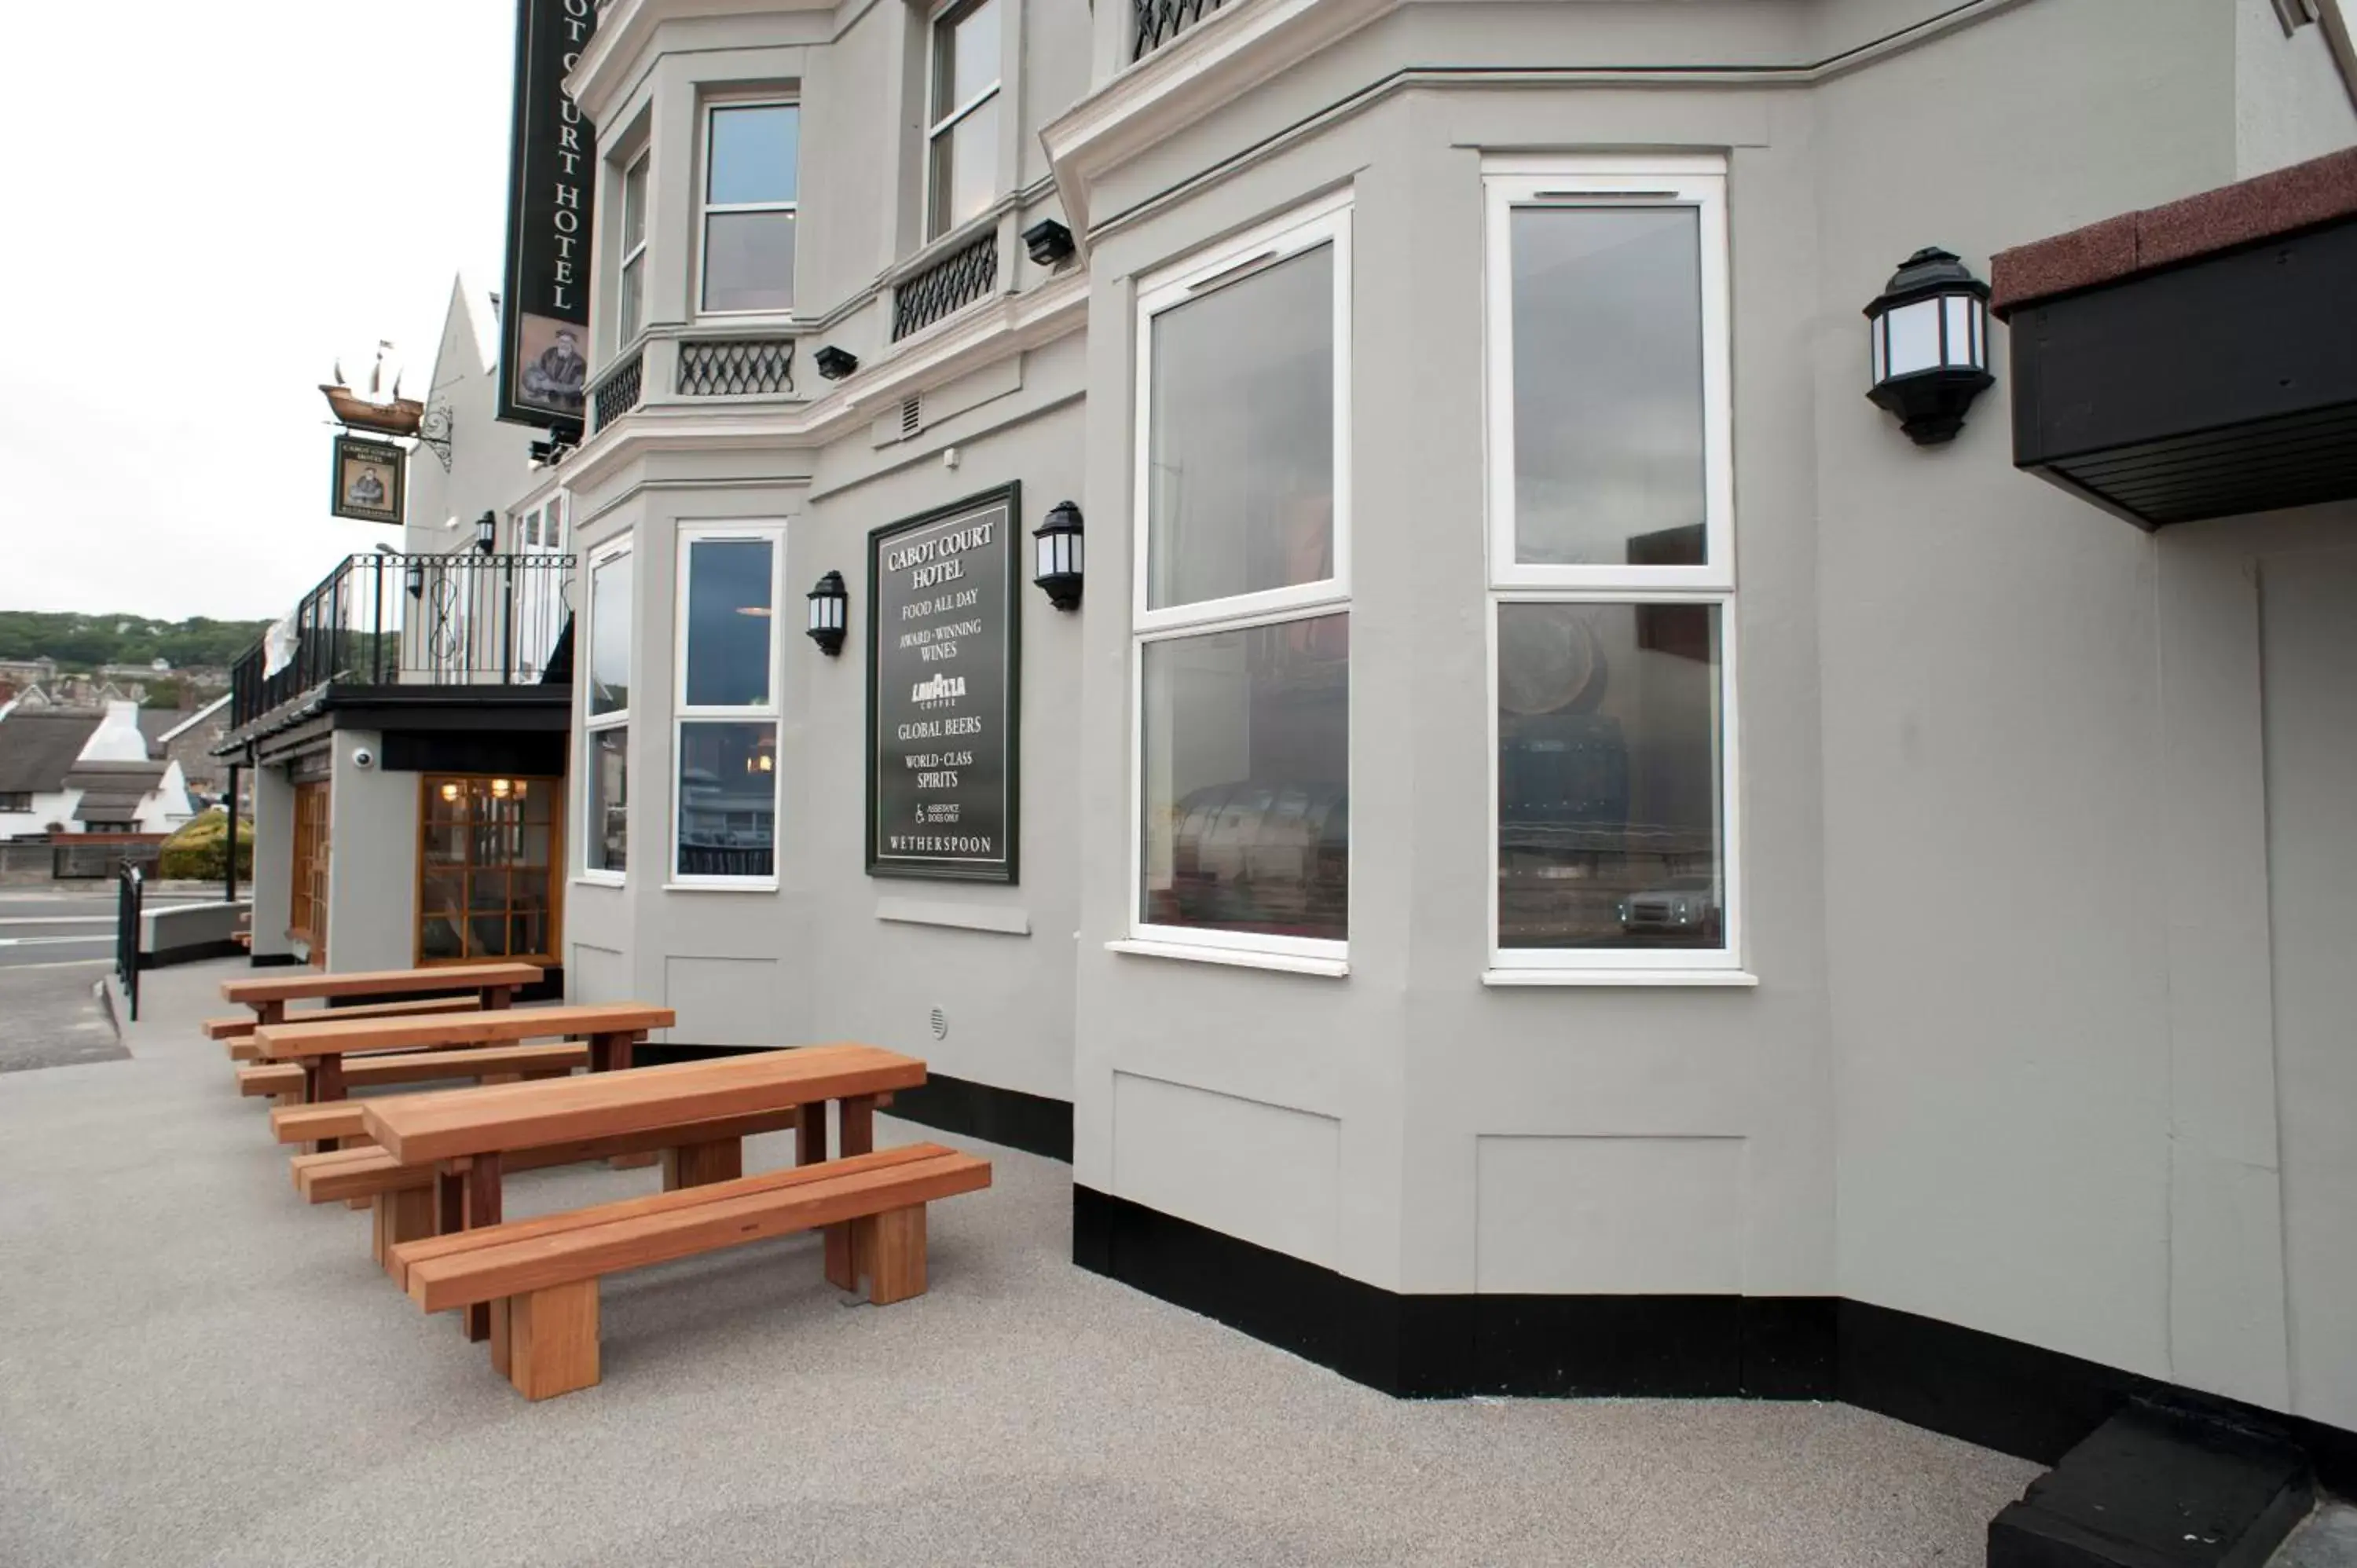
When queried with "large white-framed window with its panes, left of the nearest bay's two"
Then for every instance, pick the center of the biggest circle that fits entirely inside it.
(1241, 749)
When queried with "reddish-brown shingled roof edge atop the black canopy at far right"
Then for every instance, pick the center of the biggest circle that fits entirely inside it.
(2118, 249)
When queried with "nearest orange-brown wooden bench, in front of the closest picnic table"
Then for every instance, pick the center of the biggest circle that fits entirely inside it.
(541, 1277)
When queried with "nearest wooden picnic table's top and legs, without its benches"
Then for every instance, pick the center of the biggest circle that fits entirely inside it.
(466, 1133)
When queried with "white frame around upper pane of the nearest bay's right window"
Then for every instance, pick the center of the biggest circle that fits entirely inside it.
(1613, 183)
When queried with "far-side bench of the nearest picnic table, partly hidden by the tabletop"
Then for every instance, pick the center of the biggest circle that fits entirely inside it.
(404, 1194)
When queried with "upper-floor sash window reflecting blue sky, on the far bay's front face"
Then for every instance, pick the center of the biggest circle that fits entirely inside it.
(751, 206)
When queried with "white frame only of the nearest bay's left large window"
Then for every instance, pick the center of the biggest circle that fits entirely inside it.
(1323, 223)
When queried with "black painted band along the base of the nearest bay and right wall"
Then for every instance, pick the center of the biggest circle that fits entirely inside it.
(1962, 1383)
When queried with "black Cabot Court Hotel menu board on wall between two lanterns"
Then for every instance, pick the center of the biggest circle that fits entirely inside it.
(944, 635)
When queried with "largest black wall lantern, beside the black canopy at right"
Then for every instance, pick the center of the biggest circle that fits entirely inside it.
(1932, 345)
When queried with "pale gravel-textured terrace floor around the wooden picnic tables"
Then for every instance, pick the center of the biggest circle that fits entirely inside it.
(199, 1369)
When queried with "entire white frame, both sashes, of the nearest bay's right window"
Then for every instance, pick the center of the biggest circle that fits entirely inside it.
(1618, 180)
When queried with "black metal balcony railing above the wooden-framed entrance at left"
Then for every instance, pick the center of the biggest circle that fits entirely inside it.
(416, 621)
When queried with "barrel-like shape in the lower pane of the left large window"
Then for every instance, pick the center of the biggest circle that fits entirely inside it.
(1257, 857)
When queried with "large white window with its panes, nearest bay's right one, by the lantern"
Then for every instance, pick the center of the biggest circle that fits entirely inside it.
(1613, 805)
